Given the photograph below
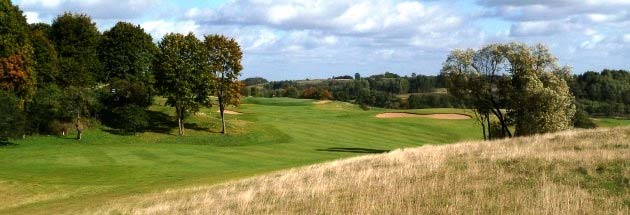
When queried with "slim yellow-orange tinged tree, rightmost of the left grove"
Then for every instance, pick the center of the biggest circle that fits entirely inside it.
(225, 59)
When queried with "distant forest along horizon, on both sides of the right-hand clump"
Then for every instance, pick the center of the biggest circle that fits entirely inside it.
(605, 93)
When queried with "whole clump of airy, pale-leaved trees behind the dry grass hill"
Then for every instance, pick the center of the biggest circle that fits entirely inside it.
(512, 85)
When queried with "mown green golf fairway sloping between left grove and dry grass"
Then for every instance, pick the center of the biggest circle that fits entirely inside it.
(52, 174)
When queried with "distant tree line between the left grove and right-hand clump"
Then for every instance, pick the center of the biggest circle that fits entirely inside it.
(386, 90)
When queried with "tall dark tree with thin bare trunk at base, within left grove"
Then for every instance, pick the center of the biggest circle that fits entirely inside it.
(76, 38)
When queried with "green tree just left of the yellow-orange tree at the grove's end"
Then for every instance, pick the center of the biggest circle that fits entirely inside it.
(182, 74)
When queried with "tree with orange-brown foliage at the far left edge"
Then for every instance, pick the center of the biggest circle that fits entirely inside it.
(17, 74)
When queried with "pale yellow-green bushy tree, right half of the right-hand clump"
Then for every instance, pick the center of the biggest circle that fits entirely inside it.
(541, 100)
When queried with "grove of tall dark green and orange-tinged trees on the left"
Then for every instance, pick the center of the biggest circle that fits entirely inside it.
(68, 75)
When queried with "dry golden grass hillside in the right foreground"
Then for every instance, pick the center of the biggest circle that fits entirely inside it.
(573, 172)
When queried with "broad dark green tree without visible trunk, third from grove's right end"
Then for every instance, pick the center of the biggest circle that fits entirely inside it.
(127, 53)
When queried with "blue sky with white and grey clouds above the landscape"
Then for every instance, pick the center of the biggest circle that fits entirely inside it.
(295, 39)
